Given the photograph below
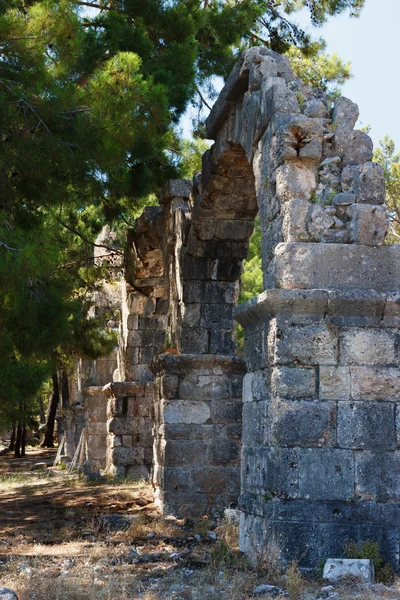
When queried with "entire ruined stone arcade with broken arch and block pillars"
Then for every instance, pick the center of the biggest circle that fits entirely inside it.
(304, 430)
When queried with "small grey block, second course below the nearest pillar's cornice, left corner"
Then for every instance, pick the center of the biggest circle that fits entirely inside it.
(294, 382)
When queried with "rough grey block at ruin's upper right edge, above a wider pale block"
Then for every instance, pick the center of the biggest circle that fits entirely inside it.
(366, 181)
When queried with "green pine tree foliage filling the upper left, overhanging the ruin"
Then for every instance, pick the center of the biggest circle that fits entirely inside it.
(90, 97)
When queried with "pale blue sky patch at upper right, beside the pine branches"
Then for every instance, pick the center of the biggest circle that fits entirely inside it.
(371, 44)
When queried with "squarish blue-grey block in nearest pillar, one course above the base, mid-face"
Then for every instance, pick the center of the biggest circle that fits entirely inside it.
(326, 474)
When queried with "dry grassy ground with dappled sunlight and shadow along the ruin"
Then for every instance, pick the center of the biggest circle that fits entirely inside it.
(65, 539)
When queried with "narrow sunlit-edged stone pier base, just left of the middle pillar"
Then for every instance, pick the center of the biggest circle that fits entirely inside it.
(130, 412)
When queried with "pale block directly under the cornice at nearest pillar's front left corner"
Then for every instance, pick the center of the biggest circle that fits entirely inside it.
(308, 345)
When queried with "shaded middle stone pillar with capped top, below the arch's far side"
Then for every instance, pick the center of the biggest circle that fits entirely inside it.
(197, 432)
